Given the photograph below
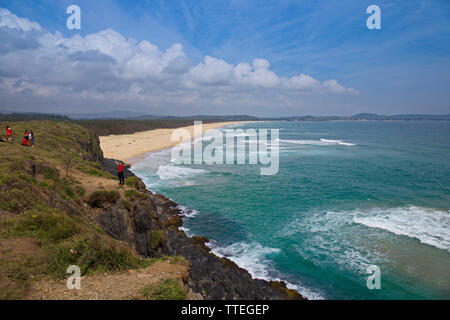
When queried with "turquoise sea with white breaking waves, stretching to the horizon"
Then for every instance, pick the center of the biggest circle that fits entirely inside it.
(371, 193)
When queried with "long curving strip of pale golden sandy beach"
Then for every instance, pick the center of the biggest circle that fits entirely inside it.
(128, 147)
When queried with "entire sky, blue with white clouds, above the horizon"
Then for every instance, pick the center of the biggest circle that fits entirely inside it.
(264, 58)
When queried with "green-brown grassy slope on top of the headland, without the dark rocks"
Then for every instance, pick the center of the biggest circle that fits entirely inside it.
(43, 196)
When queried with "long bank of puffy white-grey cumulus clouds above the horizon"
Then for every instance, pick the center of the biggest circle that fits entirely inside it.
(106, 70)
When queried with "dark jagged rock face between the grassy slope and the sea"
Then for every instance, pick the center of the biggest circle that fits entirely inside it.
(150, 224)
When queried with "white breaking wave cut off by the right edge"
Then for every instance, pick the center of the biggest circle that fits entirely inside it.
(427, 225)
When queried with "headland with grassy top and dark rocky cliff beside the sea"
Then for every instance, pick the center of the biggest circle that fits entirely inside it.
(61, 199)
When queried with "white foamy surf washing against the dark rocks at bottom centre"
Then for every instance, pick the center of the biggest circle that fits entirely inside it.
(253, 258)
